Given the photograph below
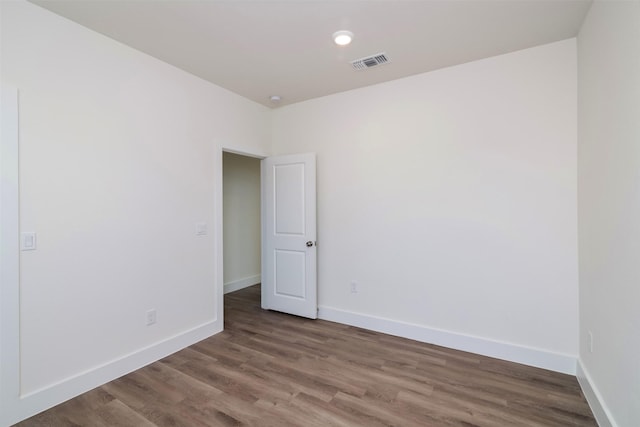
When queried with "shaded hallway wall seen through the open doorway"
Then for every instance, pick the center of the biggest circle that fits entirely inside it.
(241, 182)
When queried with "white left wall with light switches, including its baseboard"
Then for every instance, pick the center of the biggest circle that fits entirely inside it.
(118, 155)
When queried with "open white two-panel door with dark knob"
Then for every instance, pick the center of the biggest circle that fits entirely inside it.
(289, 234)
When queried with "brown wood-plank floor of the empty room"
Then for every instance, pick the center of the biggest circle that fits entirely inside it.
(272, 369)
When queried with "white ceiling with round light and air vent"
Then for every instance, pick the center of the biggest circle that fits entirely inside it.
(272, 47)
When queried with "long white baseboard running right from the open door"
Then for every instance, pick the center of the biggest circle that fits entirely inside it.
(506, 351)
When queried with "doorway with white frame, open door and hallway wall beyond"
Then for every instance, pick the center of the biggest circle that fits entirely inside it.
(275, 244)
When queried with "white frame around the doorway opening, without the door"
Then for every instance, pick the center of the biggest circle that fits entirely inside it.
(219, 226)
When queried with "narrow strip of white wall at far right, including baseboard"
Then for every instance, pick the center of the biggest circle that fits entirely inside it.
(609, 209)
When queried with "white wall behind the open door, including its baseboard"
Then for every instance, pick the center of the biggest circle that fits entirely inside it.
(450, 197)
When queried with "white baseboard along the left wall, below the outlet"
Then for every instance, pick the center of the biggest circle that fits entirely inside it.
(37, 401)
